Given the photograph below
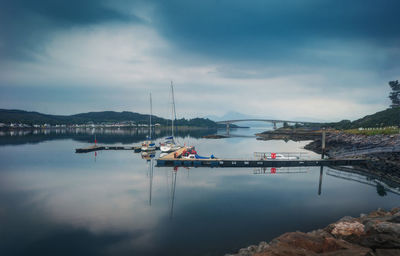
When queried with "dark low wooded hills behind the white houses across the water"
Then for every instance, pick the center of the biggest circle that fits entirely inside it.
(20, 116)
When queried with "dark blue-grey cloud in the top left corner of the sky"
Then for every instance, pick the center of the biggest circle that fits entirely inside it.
(25, 26)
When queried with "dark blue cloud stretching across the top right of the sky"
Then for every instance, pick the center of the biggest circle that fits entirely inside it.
(274, 30)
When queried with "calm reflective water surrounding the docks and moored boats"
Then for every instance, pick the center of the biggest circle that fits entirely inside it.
(56, 202)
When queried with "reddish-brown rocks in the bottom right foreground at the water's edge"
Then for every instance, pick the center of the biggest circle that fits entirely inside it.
(373, 234)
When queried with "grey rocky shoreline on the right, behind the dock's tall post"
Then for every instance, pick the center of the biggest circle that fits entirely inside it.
(382, 151)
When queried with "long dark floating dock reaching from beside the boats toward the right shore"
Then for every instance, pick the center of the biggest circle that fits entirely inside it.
(255, 163)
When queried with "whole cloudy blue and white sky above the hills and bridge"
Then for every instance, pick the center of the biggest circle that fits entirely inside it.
(324, 60)
